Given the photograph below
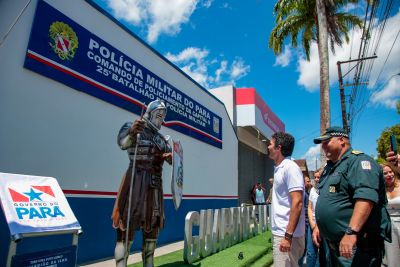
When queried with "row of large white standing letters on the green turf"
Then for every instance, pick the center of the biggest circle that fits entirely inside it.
(221, 228)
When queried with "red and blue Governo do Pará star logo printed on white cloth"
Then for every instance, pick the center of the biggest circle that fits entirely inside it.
(35, 203)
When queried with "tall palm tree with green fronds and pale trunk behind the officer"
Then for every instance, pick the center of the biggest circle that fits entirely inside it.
(313, 20)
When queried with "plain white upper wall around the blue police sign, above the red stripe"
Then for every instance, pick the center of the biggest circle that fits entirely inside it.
(50, 129)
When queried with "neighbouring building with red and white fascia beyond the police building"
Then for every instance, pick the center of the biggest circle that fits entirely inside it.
(255, 123)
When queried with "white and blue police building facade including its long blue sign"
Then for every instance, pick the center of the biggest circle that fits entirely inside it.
(71, 75)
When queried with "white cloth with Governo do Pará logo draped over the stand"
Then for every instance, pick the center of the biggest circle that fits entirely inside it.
(34, 204)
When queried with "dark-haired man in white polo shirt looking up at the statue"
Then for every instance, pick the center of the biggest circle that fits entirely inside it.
(288, 221)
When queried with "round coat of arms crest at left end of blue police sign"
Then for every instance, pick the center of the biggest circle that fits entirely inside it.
(64, 41)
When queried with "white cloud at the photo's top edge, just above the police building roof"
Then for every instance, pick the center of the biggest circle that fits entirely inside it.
(158, 16)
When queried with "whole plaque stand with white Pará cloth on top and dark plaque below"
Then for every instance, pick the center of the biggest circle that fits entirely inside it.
(35, 207)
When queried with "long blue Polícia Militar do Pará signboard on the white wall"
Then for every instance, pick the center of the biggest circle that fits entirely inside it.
(61, 49)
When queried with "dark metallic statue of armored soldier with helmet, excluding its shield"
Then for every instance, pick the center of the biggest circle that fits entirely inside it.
(140, 204)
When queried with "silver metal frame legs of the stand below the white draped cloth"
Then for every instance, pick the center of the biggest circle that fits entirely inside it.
(17, 238)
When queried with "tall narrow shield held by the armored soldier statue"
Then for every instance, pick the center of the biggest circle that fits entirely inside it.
(177, 173)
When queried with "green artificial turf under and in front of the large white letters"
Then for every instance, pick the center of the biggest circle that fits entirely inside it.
(257, 251)
